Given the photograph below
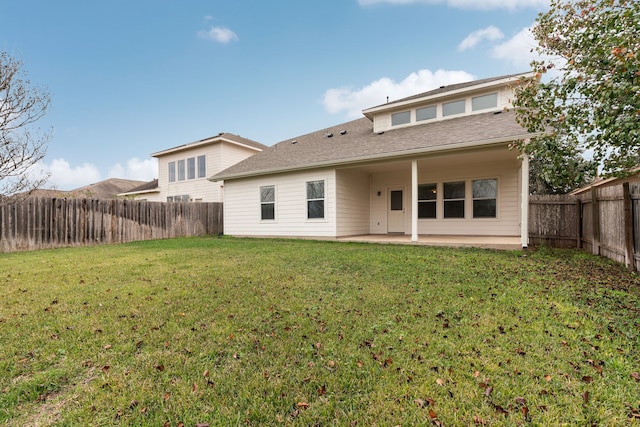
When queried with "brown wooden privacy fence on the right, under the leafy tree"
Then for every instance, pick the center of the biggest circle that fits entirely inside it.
(604, 221)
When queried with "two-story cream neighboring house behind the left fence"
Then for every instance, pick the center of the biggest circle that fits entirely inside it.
(183, 170)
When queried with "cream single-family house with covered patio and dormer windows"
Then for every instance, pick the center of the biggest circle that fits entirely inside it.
(437, 163)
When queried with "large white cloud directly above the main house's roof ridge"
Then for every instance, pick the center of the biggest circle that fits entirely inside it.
(353, 101)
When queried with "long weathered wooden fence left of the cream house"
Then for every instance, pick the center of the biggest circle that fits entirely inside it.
(40, 223)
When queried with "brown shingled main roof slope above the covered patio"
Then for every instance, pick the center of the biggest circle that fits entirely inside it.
(355, 142)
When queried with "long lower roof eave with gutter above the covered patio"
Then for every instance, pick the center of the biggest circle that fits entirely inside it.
(375, 157)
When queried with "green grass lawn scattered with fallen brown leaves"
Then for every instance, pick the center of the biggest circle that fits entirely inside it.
(223, 331)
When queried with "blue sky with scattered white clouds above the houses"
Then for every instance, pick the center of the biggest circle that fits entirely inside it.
(128, 78)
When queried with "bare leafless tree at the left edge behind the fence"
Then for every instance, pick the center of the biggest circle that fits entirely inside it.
(22, 144)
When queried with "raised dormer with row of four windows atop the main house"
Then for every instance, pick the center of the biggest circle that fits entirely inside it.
(446, 102)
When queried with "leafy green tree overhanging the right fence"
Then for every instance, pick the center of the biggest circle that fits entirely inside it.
(587, 92)
